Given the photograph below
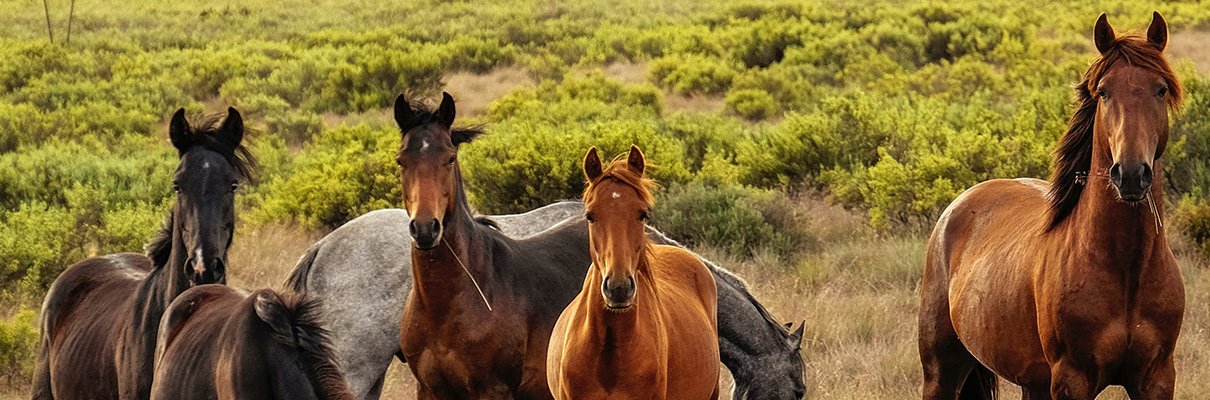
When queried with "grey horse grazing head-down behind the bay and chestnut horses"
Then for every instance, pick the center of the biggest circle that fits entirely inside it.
(365, 305)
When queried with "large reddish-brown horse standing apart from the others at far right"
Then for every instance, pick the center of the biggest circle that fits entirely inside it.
(1069, 287)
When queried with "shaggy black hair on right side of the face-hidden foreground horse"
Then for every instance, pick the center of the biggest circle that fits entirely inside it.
(295, 321)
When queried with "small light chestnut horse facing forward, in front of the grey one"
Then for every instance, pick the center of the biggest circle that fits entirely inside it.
(644, 326)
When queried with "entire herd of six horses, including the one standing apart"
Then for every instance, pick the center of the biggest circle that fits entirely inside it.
(1062, 288)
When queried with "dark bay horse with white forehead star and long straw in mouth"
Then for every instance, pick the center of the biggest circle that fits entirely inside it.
(458, 346)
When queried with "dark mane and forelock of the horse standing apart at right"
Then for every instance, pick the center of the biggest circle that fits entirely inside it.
(1075, 153)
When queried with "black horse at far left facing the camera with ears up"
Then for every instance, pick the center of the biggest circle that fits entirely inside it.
(100, 318)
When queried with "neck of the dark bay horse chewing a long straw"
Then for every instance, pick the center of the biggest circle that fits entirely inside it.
(439, 276)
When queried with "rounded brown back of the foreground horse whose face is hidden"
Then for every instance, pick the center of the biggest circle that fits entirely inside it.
(187, 349)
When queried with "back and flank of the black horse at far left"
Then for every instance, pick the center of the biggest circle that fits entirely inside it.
(80, 320)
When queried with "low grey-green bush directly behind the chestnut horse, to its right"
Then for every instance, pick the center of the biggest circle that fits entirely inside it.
(740, 219)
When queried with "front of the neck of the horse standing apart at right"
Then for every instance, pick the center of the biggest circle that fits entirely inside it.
(1109, 227)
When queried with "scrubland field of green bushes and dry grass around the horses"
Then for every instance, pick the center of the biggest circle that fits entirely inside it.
(808, 146)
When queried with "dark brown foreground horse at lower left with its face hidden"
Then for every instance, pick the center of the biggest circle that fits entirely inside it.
(218, 343)
